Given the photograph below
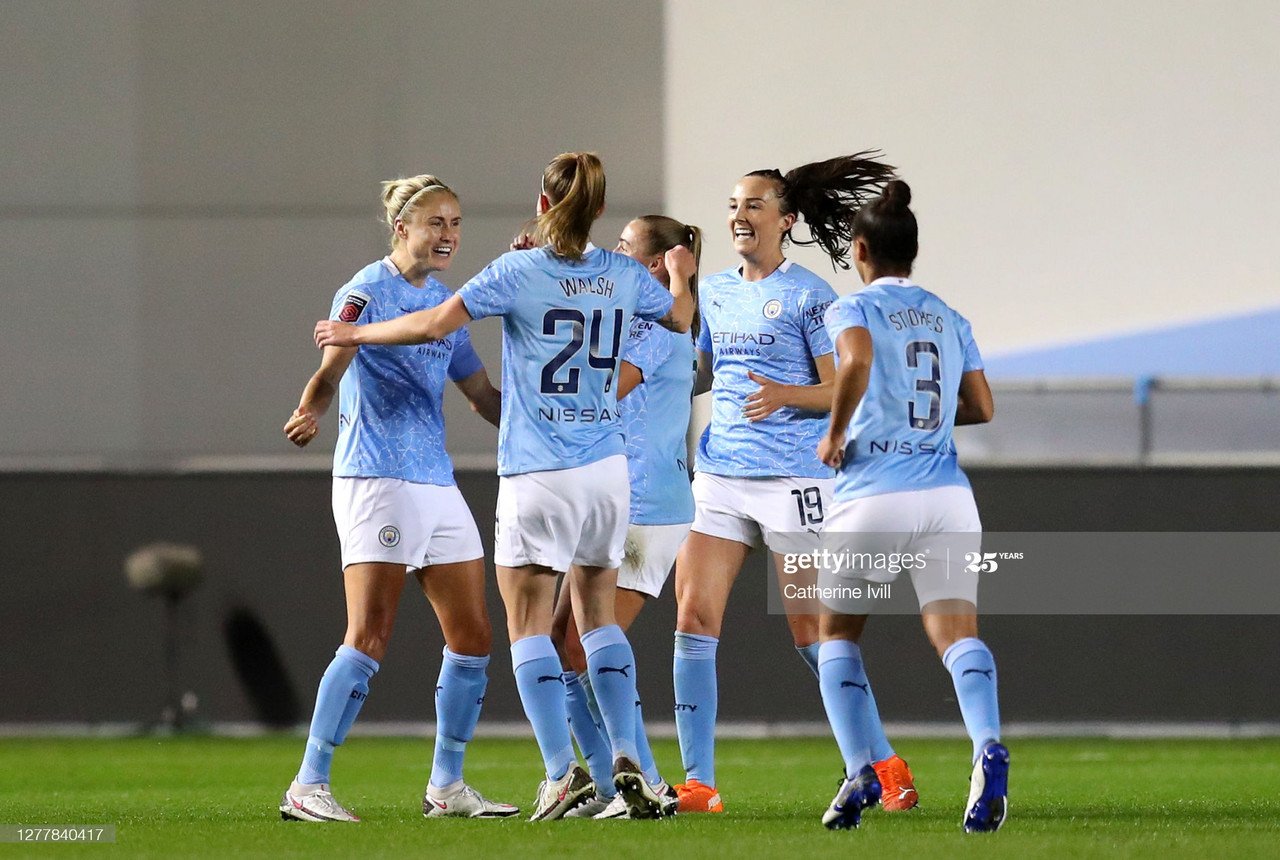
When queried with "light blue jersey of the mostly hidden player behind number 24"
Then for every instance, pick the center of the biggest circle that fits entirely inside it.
(656, 420)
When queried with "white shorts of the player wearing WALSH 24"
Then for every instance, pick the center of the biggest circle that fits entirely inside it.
(570, 516)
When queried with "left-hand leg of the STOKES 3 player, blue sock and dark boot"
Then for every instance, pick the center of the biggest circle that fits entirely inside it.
(845, 690)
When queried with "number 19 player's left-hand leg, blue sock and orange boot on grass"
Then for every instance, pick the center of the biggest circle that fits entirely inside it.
(706, 571)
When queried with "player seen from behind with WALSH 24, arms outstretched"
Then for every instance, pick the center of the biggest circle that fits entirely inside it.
(563, 500)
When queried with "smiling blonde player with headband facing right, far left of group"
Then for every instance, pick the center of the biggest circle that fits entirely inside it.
(396, 504)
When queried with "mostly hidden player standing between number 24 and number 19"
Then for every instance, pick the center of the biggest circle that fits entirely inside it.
(656, 387)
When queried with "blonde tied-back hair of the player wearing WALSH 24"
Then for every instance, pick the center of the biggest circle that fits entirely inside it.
(574, 185)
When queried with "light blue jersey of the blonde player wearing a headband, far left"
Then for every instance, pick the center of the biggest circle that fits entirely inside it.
(390, 401)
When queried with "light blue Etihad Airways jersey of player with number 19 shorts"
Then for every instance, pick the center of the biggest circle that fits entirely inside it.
(774, 328)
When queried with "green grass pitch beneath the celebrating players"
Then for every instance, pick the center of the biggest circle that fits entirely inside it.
(198, 797)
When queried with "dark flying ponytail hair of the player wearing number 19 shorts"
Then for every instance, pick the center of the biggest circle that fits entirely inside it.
(828, 195)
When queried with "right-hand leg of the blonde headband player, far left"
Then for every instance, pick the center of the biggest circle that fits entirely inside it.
(456, 593)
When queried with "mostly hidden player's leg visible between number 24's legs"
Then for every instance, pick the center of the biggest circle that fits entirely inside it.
(584, 716)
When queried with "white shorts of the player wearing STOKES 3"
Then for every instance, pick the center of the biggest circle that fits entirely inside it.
(936, 527)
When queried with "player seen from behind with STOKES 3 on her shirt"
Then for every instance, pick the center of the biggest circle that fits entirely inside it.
(909, 373)
